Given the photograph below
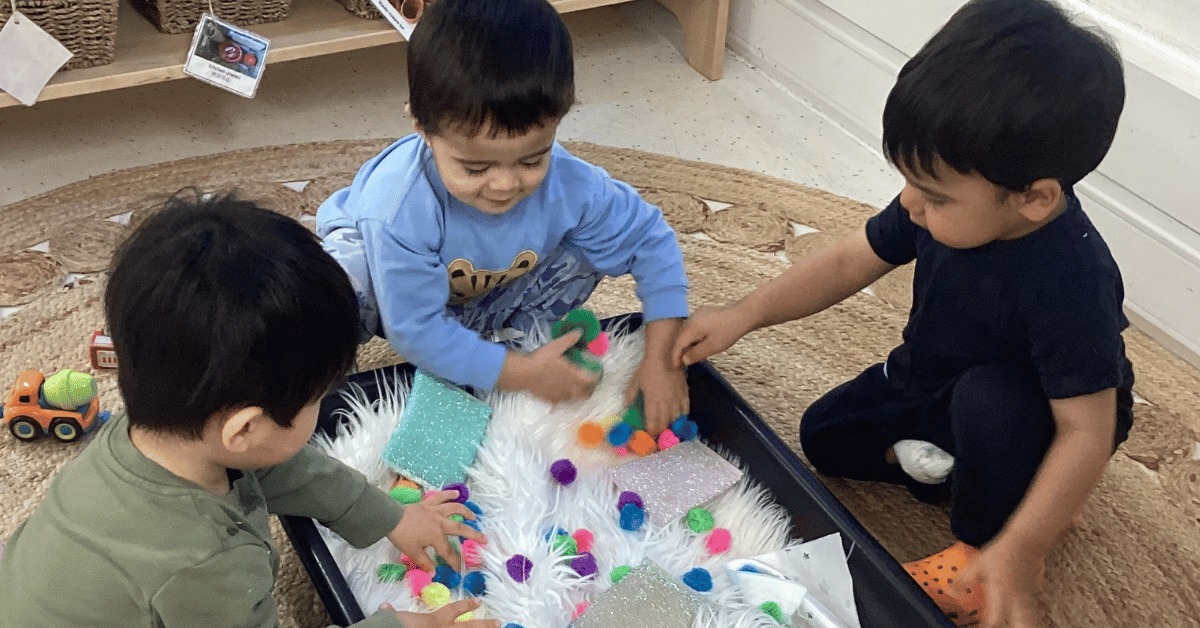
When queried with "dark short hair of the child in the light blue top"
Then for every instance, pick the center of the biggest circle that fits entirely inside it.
(505, 65)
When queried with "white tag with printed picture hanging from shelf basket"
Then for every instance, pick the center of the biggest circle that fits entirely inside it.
(227, 57)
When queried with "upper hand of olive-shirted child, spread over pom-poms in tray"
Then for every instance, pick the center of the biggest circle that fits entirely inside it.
(427, 524)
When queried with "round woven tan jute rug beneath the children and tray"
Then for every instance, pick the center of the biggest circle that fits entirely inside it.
(1133, 563)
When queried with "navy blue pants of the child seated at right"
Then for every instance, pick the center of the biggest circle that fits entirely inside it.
(995, 421)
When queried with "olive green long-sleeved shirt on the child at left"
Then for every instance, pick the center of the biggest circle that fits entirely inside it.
(122, 542)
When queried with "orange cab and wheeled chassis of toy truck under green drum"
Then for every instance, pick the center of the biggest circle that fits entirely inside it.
(28, 416)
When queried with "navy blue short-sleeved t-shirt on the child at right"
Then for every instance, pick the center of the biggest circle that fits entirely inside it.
(1051, 301)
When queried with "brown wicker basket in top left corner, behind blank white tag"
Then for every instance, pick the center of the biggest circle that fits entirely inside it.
(88, 28)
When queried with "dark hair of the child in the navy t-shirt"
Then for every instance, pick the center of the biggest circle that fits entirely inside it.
(1011, 89)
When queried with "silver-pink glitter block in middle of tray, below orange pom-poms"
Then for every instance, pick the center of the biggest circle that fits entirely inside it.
(677, 480)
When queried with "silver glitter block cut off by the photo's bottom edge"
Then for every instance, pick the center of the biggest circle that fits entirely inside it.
(647, 597)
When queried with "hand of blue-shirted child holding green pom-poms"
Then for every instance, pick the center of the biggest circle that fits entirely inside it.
(548, 374)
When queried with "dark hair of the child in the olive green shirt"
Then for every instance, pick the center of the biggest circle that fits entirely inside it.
(217, 306)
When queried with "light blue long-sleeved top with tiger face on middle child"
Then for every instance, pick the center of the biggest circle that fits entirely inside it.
(416, 232)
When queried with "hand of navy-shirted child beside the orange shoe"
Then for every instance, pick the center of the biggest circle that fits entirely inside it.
(1011, 579)
